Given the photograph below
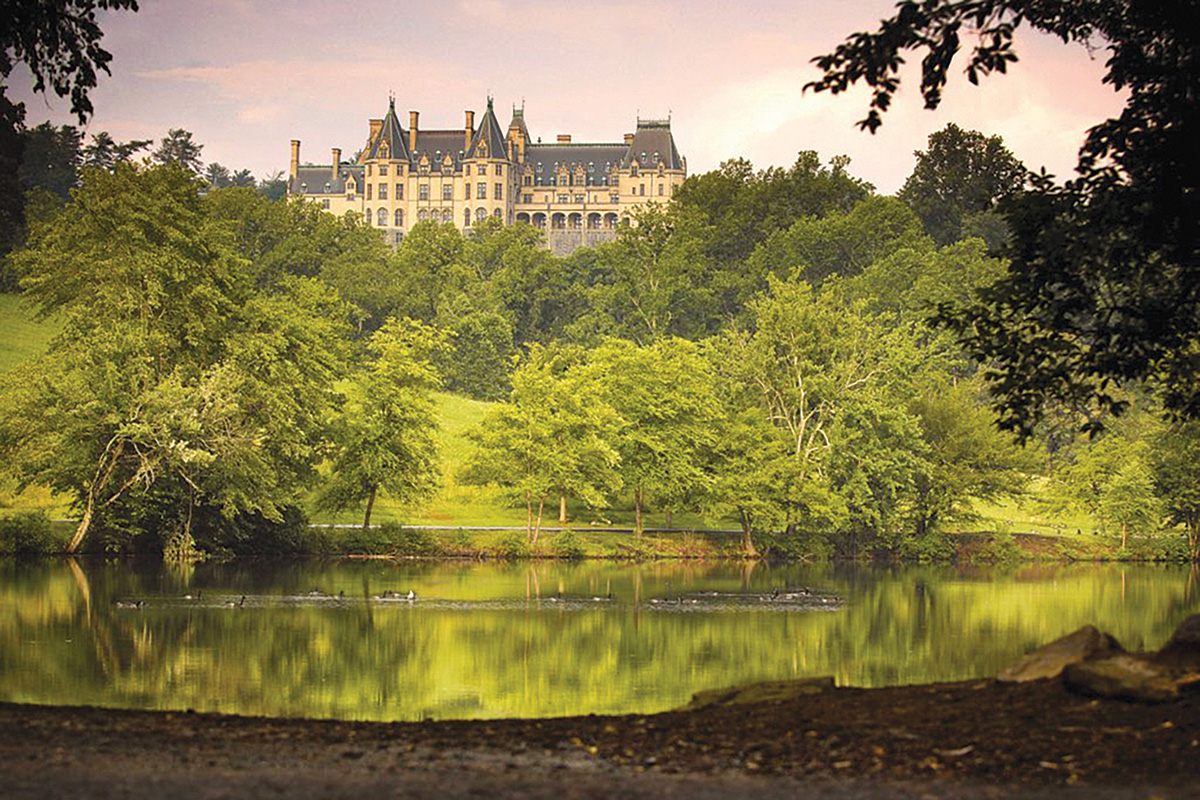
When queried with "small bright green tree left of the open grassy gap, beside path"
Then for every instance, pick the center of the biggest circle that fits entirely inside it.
(387, 431)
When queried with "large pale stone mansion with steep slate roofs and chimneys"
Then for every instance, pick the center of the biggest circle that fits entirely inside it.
(577, 193)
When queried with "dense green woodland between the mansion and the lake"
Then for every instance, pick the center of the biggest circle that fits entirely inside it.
(765, 351)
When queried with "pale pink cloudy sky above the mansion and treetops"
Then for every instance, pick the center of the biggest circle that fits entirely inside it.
(249, 76)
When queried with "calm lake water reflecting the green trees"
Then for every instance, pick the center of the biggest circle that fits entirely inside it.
(533, 640)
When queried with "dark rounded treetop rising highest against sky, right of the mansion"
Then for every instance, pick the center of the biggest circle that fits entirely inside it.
(962, 177)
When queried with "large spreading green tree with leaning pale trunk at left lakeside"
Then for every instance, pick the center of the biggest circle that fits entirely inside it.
(170, 366)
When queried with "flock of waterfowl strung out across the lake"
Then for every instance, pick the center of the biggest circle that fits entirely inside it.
(777, 599)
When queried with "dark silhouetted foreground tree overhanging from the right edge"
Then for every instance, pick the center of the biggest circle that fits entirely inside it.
(1102, 286)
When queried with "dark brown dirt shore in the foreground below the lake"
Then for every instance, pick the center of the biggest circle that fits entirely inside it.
(977, 739)
